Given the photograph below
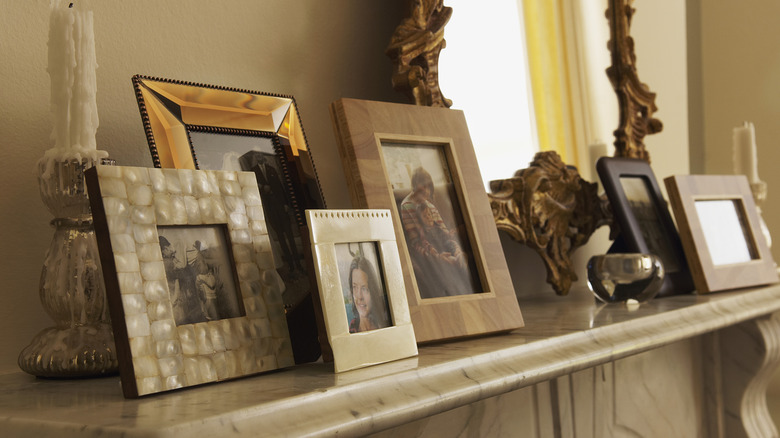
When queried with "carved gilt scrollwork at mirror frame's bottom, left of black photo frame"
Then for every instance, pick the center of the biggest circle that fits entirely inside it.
(551, 209)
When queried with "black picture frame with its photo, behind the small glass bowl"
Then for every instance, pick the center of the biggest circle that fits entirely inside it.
(643, 218)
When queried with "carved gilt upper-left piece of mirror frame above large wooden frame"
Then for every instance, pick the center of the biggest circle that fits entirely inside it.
(414, 49)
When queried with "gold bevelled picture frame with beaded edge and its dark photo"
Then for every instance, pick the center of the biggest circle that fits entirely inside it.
(198, 126)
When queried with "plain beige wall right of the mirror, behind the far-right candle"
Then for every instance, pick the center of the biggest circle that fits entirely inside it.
(740, 81)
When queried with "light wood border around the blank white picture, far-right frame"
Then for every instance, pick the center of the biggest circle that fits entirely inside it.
(684, 192)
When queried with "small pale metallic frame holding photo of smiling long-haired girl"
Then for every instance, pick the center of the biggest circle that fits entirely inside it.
(355, 251)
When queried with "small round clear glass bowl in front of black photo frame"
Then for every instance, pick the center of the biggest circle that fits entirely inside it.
(618, 278)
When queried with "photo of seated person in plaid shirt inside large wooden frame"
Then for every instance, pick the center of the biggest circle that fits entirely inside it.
(432, 220)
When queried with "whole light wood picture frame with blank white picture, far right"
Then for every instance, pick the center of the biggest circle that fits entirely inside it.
(721, 231)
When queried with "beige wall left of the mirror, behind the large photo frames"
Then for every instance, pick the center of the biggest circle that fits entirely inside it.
(316, 50)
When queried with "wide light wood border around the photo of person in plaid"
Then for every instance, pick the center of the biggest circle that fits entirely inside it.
(361, 127)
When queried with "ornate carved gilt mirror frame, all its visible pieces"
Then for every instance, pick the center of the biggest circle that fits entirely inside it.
(546, 206)
